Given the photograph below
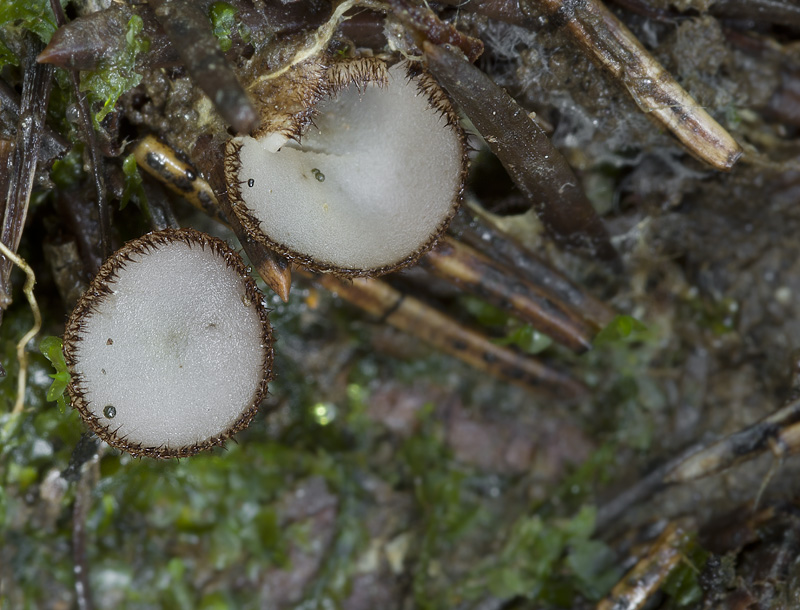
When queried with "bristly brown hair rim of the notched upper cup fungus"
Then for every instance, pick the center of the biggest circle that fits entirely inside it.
(339, 74)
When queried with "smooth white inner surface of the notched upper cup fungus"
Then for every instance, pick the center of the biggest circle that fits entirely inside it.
(369, 183)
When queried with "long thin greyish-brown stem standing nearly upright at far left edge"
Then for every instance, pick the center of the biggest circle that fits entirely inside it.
(36, 86)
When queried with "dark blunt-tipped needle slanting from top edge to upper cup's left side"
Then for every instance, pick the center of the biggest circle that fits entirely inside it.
(189, 30)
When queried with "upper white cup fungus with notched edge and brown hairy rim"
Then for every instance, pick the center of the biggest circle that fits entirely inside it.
(361, 178)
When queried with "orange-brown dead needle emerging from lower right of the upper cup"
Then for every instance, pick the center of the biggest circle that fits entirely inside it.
(472, 271)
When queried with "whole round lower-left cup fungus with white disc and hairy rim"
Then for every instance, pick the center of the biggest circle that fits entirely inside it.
(170, 348)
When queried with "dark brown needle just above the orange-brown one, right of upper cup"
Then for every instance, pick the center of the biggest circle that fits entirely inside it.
(525, 263)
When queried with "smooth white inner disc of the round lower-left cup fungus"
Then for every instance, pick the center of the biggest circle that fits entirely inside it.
(177, 349)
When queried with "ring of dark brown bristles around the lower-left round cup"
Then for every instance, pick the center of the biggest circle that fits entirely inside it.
(98, 291)
